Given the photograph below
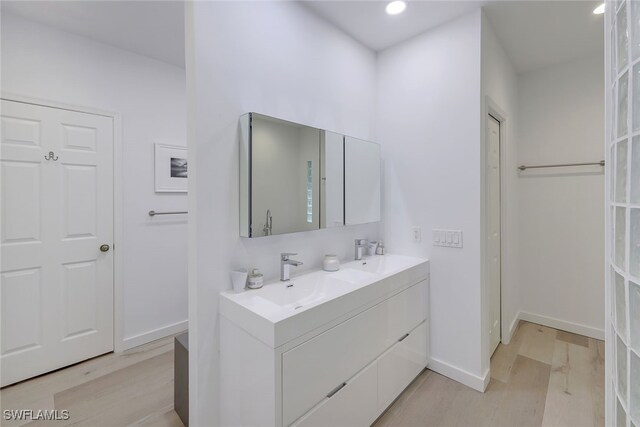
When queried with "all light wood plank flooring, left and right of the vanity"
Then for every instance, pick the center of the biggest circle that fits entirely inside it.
(544, 377)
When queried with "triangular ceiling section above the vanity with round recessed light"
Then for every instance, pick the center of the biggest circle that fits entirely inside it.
(367, 22)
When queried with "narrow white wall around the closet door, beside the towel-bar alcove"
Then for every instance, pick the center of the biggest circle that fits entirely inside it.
(500, 89)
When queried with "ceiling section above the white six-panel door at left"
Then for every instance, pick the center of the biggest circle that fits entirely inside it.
(150, 28)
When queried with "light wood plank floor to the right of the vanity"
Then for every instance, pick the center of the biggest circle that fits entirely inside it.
(544, 377)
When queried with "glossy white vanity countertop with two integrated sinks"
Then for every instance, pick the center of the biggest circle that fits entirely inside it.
(282, 311)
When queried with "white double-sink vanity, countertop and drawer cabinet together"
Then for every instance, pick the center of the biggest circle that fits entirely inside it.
(324, 348)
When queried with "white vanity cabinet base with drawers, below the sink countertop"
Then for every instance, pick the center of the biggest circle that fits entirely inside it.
(347, 371)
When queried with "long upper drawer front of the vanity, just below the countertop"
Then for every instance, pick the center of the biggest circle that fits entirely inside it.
(316, 367)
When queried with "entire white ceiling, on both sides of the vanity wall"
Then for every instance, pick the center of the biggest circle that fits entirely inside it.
(534, 34)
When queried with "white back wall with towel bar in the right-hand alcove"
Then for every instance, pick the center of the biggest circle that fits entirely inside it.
(561, 237)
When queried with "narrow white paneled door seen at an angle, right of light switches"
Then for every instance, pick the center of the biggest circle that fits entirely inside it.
(493, 254)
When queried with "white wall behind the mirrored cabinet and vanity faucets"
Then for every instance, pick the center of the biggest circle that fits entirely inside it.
(278, 59)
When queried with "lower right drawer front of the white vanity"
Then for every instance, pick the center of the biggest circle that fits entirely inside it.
(399, 365)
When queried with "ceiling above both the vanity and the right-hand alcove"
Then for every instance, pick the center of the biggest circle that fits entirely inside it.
(533, 33)
